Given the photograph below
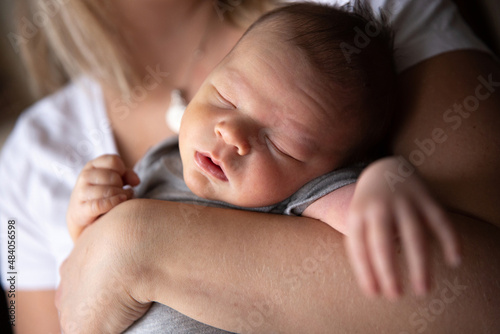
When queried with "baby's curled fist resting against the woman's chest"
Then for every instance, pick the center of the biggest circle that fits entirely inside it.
(99, 188)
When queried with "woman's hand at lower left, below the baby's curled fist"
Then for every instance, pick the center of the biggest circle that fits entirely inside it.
(100, 279)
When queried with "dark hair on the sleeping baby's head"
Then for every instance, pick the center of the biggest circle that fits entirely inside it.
(352, 53)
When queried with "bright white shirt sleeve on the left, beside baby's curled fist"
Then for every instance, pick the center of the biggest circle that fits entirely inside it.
(39, 165)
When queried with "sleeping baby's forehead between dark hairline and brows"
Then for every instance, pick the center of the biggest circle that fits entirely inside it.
(291, 74)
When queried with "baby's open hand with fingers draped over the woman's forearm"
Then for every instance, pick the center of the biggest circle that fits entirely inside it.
(379, 215)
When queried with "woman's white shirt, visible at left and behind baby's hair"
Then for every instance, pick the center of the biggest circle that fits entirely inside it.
(54, 138)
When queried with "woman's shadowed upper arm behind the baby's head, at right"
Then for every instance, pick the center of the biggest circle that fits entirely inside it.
(451, 130)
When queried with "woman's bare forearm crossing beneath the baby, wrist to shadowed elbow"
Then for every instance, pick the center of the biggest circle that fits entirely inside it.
(251, 272)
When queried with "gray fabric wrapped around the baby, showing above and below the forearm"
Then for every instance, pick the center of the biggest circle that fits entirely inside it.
(160, 172)
